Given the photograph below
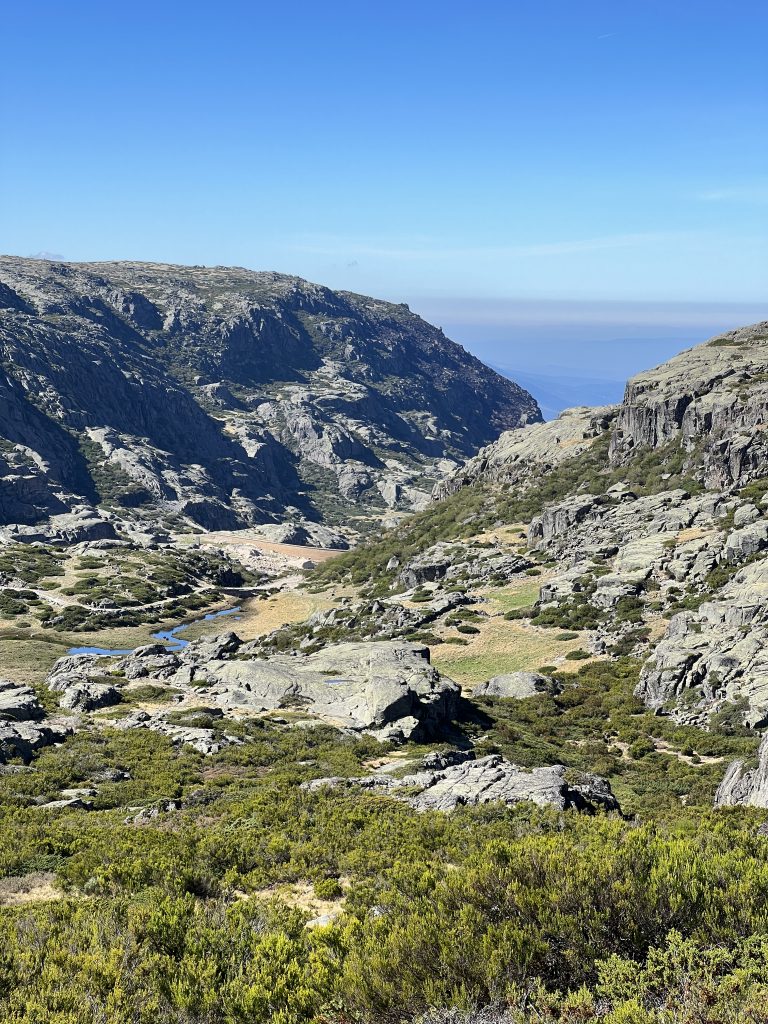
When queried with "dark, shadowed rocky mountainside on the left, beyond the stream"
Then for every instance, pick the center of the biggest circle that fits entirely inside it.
(228, 397)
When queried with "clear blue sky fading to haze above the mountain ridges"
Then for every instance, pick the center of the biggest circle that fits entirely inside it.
(482, 162)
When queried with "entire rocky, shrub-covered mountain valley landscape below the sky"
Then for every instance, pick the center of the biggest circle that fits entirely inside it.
(338, 687)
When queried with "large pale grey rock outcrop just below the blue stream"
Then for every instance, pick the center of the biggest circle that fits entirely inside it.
(389, 690)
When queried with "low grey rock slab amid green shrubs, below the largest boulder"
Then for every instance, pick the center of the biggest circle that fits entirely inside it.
(446, 784)
